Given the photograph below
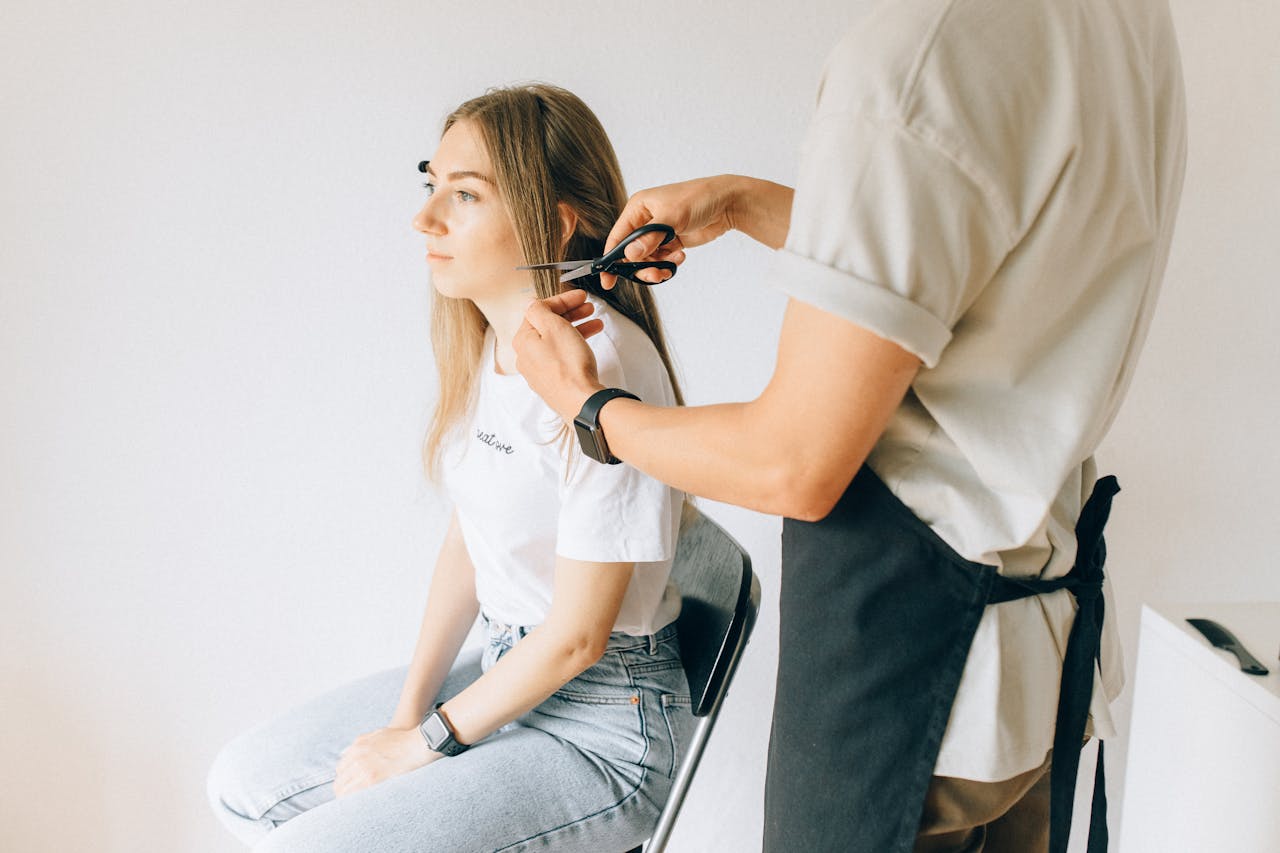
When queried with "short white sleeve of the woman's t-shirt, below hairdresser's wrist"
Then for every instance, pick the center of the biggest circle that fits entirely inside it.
(615, 513)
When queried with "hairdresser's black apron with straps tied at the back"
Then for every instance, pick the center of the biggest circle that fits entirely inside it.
(877, 617)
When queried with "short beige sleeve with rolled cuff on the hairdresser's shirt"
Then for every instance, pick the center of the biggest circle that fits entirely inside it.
(890, 231)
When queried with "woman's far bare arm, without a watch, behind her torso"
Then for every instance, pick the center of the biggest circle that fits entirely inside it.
(451, 610)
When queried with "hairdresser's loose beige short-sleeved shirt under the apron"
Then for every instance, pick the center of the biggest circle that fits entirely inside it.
(993, 186)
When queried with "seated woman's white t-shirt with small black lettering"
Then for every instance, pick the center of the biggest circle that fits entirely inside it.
(522, 500)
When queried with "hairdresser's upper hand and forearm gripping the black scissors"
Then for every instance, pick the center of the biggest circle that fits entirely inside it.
(702, 211)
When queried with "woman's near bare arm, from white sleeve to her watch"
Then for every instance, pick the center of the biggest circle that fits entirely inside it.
(586, 605)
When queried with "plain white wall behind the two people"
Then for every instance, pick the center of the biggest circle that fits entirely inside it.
(214, 370)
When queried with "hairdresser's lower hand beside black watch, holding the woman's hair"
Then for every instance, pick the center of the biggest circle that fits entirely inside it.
(552, 354)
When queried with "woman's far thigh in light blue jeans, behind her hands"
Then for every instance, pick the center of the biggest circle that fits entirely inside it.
(286, 768)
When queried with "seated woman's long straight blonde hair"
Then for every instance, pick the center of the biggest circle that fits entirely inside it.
(547, 148)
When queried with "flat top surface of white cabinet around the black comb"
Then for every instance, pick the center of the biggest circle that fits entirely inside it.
(1256, 626)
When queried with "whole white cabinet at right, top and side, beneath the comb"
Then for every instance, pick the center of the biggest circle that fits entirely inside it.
(1204, 765)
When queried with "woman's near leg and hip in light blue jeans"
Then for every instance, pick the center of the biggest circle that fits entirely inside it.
(587, 772)
